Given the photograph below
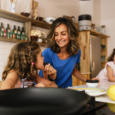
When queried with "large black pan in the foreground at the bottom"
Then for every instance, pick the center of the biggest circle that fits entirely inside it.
(42, 101)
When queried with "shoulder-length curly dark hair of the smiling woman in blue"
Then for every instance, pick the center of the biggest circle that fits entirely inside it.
(73, 45)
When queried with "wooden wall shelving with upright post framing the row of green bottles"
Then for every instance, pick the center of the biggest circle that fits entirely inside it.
(28, 23)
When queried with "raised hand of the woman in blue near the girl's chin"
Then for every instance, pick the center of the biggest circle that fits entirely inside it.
(49, 70)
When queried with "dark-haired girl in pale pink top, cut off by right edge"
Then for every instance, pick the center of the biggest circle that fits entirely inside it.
(106, 76)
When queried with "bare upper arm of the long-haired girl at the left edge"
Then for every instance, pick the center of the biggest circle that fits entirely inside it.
(10, 81)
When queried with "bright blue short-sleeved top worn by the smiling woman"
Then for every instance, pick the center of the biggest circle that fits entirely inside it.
(64, 68)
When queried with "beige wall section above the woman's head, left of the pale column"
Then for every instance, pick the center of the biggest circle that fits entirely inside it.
(58, 8)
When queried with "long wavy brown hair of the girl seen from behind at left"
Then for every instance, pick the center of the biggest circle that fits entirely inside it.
(20, 60)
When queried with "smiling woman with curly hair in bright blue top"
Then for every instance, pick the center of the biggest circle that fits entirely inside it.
(63, 52)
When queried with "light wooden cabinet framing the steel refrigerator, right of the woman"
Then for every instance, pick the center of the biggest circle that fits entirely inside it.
(85, 60)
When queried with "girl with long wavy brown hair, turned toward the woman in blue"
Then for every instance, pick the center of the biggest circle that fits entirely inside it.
(24, 61)
